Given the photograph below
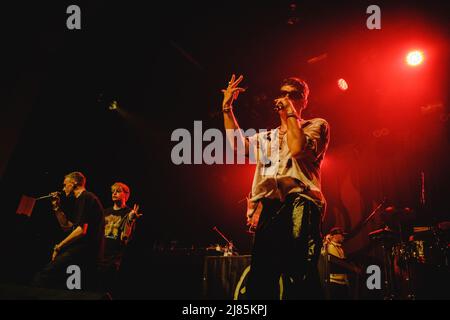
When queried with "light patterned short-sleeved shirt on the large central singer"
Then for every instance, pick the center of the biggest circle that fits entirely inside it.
(278, 174)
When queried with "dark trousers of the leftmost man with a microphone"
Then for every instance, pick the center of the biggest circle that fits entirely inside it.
(54, 274)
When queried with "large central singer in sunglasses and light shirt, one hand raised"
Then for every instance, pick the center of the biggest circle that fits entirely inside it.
(287, 239)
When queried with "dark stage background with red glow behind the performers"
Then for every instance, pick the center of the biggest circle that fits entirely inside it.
(165, 64)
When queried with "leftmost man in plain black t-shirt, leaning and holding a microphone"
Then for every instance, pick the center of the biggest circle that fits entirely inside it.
(83, 225)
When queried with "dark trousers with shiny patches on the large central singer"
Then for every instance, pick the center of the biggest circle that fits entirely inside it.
(287, 244)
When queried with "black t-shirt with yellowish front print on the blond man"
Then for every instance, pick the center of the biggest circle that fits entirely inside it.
(115, 221)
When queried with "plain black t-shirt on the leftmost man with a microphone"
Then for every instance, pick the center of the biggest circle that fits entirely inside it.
(87, 209)
